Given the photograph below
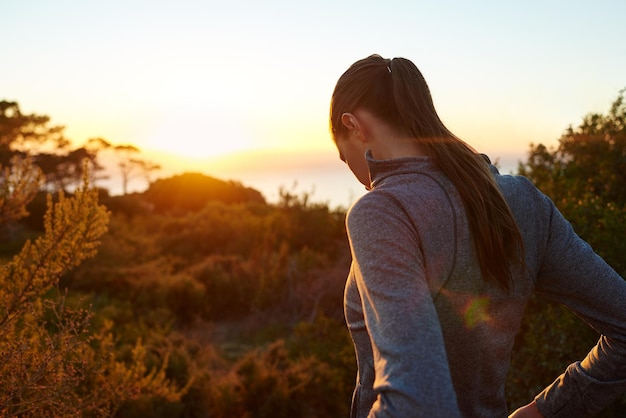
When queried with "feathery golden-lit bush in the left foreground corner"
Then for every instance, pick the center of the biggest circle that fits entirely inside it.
(52, 362)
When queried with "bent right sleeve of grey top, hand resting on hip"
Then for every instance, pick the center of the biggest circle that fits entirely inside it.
(573, 274)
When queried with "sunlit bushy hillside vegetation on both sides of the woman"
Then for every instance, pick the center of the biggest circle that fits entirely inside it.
(197, 298)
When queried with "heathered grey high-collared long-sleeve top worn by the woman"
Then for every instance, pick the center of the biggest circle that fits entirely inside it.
(433, 339)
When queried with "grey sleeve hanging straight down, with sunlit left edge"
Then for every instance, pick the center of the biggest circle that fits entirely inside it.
(412, 375)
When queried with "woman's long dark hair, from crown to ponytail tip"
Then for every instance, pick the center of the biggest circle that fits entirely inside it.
(396, 92)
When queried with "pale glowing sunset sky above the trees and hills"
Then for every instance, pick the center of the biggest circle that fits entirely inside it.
(197, 80)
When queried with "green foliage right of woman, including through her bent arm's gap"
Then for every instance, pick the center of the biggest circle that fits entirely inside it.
(585, 178)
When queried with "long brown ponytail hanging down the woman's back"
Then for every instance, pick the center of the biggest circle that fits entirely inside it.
(497, 239)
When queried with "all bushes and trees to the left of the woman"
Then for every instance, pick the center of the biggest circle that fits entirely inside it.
(151, 323)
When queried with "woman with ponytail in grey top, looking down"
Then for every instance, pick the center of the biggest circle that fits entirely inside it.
(446, 253)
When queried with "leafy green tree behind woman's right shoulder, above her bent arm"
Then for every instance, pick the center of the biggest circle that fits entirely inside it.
(585, 176)
